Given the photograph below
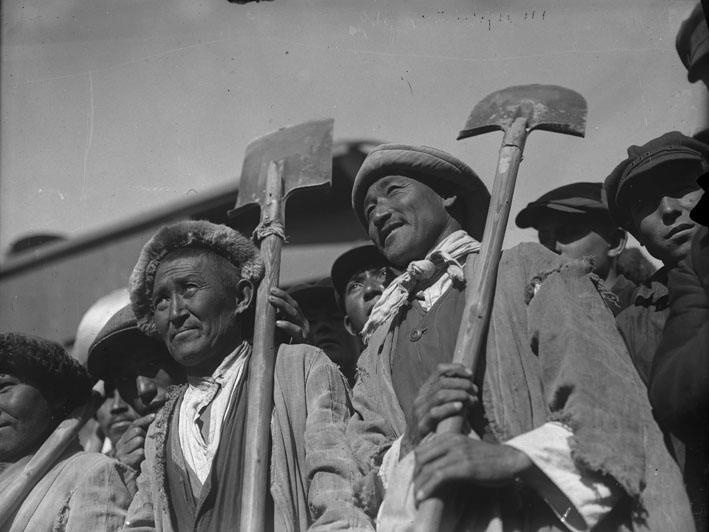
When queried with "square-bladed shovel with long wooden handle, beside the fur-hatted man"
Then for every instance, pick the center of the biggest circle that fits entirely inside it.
(275, 166)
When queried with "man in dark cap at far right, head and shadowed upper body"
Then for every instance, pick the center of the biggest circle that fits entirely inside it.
(651, 194)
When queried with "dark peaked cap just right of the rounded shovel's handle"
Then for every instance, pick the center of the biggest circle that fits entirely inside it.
(577, 198)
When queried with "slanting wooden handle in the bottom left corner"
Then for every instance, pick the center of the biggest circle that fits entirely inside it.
(44, 459)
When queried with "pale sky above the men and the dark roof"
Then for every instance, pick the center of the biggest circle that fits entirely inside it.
(110, 108)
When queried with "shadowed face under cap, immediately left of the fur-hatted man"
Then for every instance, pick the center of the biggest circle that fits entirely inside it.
(142, 374)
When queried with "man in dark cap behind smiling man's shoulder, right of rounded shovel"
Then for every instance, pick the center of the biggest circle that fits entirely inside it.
(573, 221)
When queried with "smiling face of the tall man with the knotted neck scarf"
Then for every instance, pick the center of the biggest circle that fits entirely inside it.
(406, 218)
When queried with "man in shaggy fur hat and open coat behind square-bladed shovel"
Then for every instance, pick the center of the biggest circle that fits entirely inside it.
(192, 288)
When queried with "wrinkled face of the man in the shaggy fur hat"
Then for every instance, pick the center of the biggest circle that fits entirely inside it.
(197, 307)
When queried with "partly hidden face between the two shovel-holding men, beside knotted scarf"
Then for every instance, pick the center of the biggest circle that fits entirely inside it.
(362, 292)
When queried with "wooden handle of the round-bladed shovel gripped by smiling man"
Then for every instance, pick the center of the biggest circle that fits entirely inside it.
(481, 277)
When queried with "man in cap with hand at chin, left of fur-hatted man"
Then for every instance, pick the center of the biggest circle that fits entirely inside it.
(137, 372)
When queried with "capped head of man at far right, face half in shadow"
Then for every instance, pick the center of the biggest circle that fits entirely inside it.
(652, 192)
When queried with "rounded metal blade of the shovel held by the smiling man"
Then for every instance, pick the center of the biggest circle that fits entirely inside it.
(546, 107)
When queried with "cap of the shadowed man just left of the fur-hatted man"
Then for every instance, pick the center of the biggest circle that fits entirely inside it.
(119, 333)
